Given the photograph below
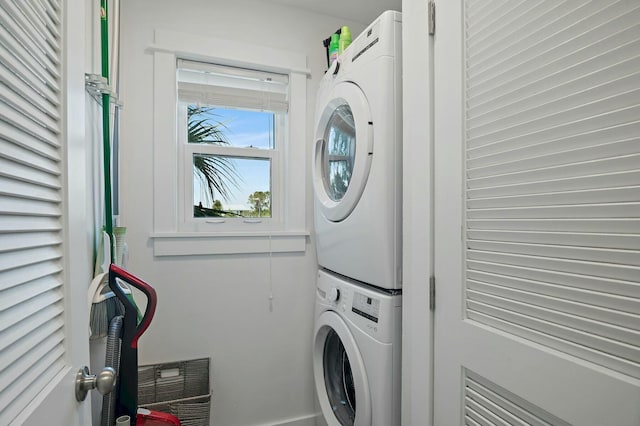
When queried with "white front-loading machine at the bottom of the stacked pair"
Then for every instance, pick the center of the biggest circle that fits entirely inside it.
(356, 353)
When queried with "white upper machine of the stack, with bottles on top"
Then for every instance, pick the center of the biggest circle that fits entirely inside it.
(357, 158)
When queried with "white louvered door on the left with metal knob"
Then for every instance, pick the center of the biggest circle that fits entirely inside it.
(43, 213)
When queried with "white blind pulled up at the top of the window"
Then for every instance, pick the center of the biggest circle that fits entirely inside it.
(217, 85)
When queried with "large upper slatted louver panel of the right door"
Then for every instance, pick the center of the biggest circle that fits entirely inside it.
(553, 175)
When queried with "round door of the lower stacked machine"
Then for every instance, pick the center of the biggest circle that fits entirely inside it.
(341, 382)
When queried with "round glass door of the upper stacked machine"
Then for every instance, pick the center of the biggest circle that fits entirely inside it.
(343, 151)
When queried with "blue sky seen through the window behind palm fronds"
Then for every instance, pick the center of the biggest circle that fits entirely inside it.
(245, 129)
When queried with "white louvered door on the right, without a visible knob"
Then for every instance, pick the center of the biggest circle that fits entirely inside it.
(537, 213)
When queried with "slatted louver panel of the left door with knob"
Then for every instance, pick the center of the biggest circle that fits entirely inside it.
(31, 306)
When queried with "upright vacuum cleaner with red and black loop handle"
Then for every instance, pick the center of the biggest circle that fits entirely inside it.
(127, 385)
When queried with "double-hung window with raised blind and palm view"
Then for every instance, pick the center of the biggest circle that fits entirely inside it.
(231, 133)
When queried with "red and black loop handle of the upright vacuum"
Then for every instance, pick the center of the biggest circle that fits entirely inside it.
(117, 272)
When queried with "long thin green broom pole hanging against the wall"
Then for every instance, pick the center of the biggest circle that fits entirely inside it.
(106, 139)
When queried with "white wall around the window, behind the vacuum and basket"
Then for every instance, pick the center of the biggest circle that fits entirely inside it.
(217, 306)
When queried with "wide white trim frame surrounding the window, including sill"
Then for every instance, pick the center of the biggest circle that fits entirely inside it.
(168, 238)
